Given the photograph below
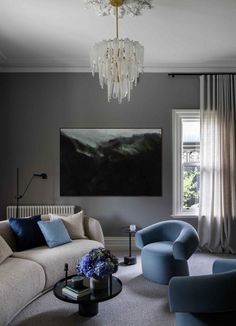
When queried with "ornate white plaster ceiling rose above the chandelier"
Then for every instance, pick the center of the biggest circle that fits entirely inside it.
(129, 7)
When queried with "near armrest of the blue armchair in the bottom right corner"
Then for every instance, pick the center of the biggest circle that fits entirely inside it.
(203, 294)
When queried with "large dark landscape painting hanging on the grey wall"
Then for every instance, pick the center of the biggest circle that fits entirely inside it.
(111, 162)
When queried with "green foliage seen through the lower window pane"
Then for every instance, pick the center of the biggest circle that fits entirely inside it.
(190, 185)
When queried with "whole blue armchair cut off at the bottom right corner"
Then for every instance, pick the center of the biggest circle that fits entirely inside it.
(206, 300)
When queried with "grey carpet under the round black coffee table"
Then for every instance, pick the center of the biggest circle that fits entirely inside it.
(141, 302)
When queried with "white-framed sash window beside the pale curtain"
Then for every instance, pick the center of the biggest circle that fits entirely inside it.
(186, 161)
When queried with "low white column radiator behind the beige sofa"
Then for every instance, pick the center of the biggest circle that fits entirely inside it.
(24, 211)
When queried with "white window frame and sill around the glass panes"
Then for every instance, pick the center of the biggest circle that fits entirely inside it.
(177, 180)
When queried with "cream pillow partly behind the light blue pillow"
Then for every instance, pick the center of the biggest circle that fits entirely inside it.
(73, 223)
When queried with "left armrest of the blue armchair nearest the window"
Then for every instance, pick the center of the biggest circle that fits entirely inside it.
(148, 235)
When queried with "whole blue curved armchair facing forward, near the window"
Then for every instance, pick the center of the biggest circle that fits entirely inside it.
(166, 247)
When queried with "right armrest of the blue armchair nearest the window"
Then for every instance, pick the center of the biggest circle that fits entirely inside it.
(186, 243)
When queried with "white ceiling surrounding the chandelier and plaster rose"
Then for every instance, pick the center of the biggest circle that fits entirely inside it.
(178, 35)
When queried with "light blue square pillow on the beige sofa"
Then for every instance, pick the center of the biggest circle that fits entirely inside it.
(54, 232)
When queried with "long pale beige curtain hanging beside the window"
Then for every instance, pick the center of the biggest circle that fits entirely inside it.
(217, 211)
